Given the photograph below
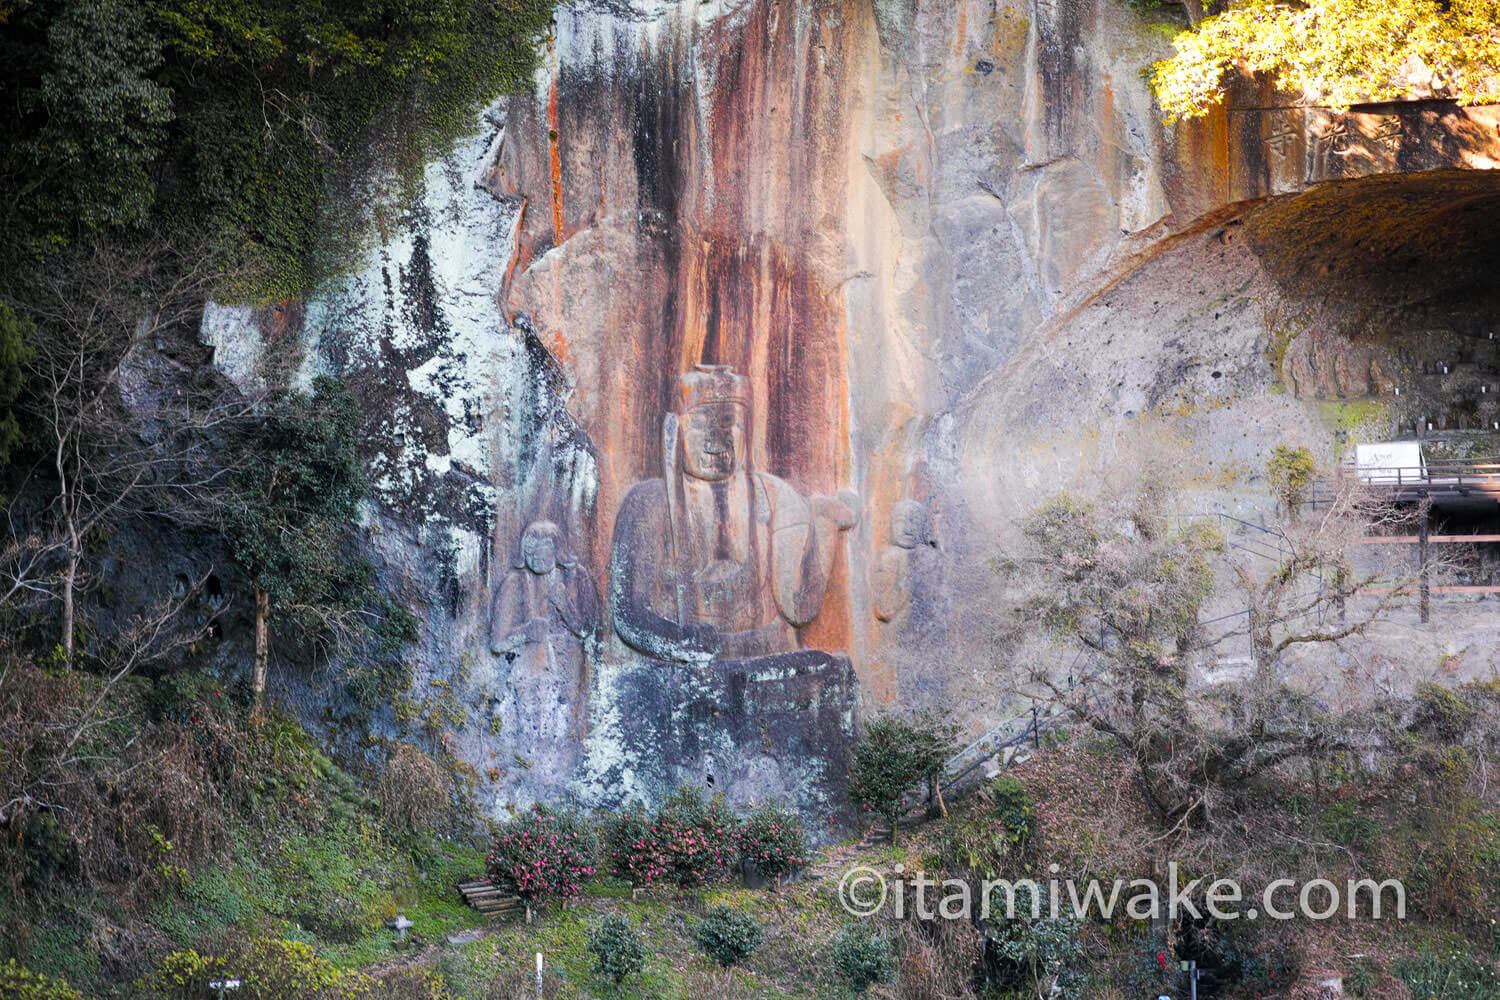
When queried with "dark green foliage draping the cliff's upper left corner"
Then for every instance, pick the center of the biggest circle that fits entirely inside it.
(223, 122)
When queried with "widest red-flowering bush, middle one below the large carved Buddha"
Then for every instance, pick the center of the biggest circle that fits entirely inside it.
(688, 842)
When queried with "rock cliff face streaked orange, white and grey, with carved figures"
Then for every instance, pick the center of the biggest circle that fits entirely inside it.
(956, 263)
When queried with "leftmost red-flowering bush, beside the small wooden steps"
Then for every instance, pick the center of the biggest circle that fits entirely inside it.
(544, 854)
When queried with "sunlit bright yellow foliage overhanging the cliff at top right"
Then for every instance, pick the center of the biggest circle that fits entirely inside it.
(1339, 52)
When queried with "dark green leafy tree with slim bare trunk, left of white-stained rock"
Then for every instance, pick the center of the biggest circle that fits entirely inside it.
(298, 485)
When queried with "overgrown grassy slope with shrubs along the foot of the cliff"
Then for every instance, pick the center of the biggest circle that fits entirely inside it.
(181, 840)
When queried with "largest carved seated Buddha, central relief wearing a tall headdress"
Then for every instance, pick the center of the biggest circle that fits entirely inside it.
(718, 560)
